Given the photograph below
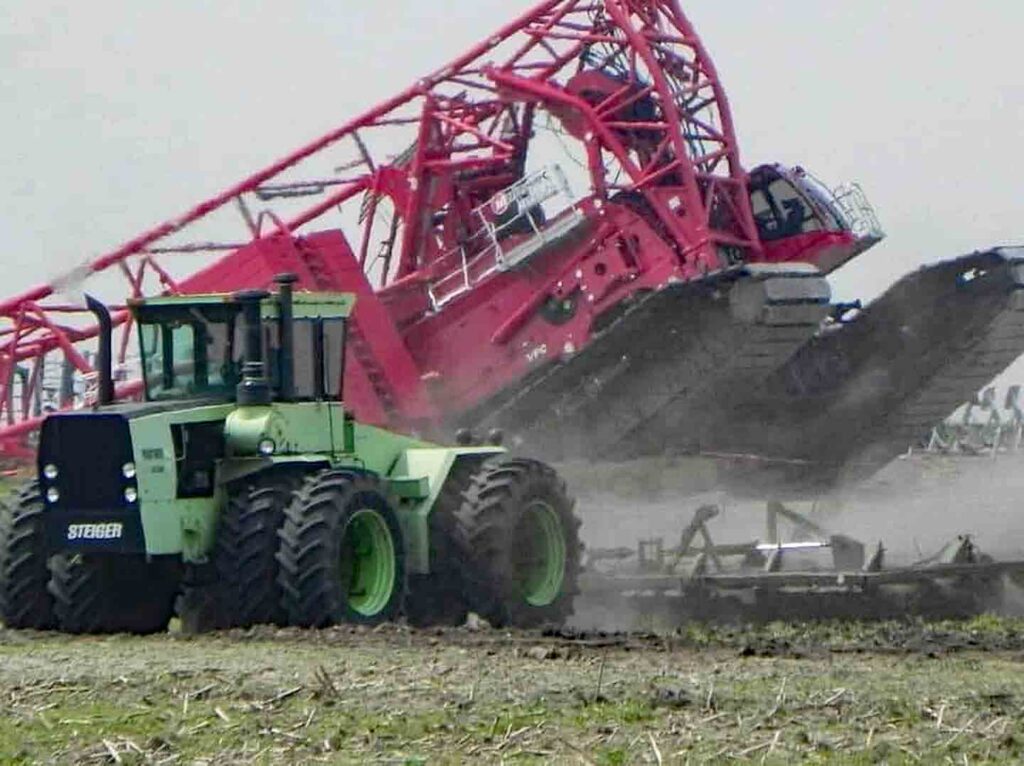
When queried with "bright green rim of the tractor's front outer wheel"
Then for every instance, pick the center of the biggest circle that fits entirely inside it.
(368, 563)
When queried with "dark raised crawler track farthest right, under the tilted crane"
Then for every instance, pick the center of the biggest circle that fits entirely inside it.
(862, 394)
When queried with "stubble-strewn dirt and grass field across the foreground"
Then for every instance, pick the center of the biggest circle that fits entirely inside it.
(901, 694)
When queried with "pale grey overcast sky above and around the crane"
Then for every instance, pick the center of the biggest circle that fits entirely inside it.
(117, 114)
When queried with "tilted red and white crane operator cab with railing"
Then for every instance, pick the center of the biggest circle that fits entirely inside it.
(800, 220)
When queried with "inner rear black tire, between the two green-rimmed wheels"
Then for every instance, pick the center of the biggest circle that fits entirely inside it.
(438, 599)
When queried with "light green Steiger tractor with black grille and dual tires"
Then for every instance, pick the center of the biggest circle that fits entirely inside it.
(241, 492)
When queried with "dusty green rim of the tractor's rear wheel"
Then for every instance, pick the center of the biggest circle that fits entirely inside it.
(541, 555)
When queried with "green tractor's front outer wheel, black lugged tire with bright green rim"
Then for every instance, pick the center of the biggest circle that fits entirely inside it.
(320, 573)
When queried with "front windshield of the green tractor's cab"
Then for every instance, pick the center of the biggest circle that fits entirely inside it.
(189, 353)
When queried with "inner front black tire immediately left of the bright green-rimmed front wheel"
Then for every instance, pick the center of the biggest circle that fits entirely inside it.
(243, 590)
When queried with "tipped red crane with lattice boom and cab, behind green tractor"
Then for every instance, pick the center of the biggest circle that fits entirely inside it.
(495, 219)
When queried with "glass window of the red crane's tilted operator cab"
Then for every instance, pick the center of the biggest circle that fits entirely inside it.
(788, 205)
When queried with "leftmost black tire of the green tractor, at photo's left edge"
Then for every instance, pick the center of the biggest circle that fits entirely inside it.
(25, 600)
